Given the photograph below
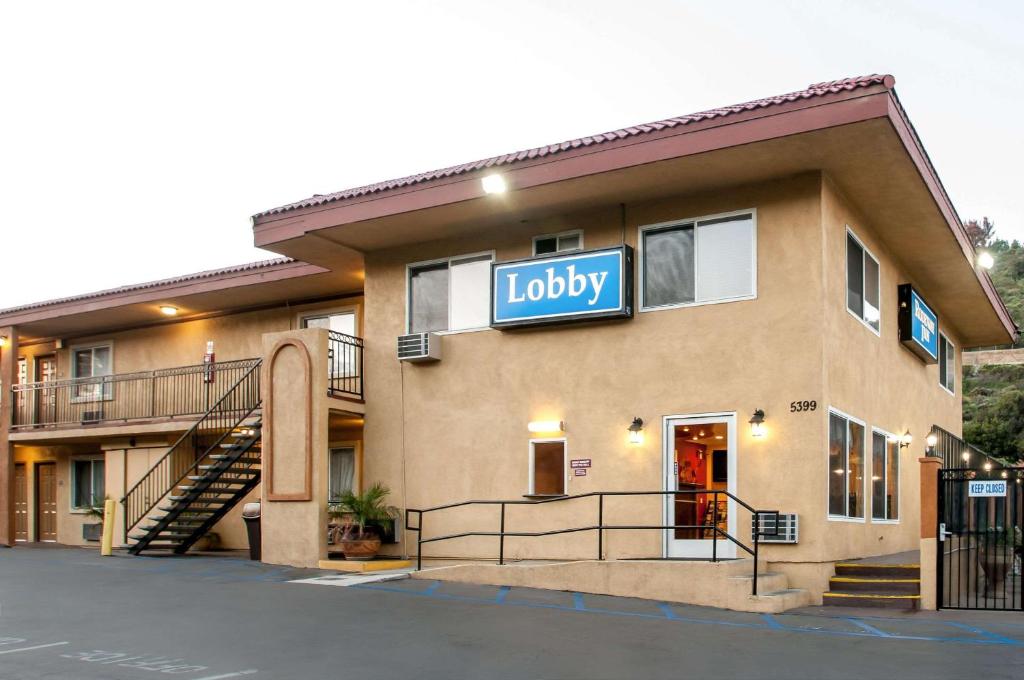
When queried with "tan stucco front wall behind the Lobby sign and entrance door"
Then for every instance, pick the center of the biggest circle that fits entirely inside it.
(457, 430)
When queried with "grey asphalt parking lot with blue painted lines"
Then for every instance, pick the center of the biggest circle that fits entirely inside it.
(70, 614)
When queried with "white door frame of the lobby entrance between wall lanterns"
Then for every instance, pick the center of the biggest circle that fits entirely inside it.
(672, 547)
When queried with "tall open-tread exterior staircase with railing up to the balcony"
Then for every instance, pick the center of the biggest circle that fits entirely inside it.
(202, 477)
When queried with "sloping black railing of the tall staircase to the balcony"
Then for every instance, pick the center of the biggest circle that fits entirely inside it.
(204, 438)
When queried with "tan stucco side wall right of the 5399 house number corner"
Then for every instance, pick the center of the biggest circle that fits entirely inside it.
(875, 379)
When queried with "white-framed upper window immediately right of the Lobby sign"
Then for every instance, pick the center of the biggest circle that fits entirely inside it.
(697, 262)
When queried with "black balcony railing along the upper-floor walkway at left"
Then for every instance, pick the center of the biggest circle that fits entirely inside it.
(182, 392)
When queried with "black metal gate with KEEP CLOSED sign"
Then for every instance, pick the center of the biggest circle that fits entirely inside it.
(982, 517)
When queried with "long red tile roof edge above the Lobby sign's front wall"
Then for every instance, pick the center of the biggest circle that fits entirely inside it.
(818, 90)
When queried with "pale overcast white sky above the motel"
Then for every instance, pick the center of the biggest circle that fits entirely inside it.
(137, 139)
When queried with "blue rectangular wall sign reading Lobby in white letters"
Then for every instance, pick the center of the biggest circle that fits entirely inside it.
(560, 288)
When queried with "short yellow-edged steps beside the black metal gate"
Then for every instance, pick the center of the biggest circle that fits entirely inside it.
(866, 584)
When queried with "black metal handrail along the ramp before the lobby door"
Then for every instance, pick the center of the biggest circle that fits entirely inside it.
(601, 527)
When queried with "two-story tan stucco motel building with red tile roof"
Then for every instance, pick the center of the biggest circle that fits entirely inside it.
(770, 300)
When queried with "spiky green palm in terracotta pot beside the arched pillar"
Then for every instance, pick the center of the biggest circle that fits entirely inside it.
(358, 535)
